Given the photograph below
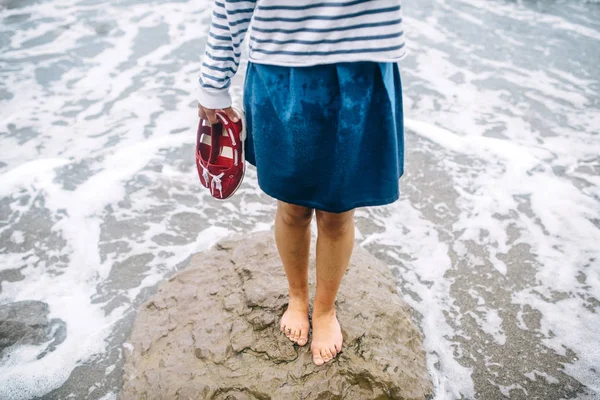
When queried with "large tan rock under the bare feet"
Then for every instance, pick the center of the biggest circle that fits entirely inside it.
(212, 332)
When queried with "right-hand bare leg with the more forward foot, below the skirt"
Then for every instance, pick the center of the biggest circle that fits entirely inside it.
(335, 242)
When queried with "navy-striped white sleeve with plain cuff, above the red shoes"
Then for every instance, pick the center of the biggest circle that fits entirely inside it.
(230, 22)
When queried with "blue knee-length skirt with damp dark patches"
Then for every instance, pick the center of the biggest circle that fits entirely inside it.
(329, 137)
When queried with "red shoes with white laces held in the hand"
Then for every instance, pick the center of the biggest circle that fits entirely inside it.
(220, 157)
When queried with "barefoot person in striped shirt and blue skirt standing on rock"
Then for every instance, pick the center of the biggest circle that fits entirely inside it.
(324, 120)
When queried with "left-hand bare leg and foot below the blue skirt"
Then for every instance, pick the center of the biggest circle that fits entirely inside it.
(292, 235)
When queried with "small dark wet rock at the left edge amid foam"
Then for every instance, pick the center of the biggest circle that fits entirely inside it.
(26, 322)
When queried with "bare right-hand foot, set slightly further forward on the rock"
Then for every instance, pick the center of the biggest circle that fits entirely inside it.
(327, 337)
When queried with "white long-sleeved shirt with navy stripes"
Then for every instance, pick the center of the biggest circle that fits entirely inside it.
(296, 33)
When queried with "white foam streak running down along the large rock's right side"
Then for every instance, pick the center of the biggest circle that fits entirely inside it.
(411, 234)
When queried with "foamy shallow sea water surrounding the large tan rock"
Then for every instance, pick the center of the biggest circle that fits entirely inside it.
(495, 242)
